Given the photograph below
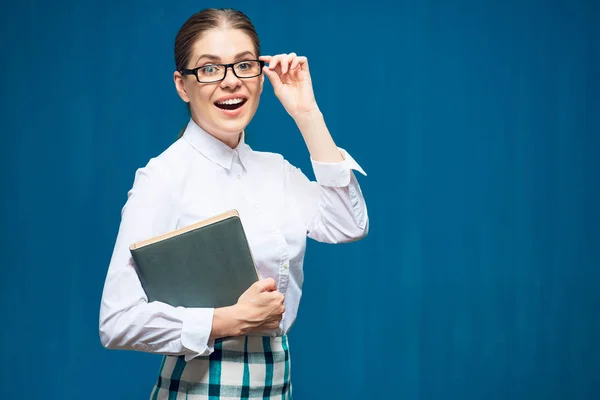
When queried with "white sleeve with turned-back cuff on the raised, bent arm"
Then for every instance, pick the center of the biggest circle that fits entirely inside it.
(333, 208)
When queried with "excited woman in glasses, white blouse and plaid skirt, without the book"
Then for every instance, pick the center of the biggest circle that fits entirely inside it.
(239, 351)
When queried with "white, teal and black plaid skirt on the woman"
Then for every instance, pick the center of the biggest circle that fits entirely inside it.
(242, 367)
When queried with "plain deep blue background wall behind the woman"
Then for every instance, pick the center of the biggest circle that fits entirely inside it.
(477, 122)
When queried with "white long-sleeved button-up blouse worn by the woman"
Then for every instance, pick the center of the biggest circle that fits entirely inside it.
(197, 177)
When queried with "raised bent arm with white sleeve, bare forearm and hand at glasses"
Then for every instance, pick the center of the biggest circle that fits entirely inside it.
(333, 208)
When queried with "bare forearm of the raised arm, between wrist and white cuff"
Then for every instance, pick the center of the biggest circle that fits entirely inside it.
(320, 144)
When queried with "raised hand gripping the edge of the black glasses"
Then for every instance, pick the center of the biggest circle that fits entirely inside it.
(291, 82)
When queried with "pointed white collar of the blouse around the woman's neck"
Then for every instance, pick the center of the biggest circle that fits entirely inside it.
(212, 148)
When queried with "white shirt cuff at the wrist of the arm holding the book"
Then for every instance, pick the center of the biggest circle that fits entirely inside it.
(195, 332)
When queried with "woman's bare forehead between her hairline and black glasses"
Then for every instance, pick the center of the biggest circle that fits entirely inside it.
(223, 43)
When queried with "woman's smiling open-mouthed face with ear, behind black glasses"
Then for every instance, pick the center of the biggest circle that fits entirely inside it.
(224, 121)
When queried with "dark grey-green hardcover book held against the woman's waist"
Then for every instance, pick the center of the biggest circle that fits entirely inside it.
(206, 264)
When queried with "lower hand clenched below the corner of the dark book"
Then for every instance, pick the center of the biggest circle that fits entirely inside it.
(259, 308)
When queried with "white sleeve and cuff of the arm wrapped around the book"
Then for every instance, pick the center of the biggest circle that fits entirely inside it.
(127, 320)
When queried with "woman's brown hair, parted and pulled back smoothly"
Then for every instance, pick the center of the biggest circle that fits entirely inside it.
(203, 21)
